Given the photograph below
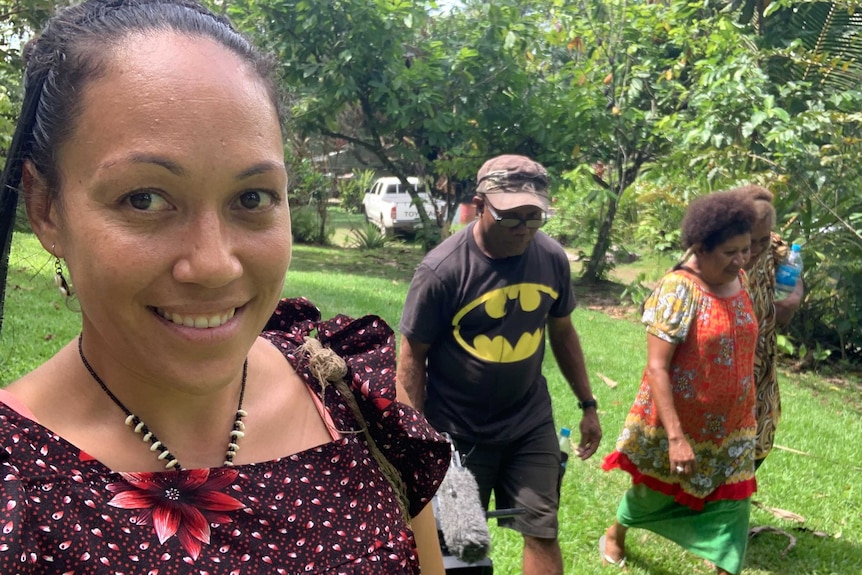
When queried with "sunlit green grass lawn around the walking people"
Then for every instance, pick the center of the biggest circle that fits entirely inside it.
(816, 473)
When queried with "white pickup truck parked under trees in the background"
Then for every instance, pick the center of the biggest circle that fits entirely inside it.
(390, 207)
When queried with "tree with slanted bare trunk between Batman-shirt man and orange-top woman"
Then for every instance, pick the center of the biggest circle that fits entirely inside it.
(624, 67)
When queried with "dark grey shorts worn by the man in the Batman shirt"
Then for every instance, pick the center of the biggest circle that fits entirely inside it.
(524, 474)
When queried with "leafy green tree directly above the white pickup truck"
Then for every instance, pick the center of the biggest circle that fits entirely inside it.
(432, 96)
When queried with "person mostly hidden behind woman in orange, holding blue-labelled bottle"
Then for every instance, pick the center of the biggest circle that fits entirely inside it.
(767, 252)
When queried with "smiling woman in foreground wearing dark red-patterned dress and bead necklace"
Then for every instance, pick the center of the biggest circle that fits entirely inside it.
(149, 155)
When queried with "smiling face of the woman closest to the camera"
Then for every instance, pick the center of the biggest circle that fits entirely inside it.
(172, 210)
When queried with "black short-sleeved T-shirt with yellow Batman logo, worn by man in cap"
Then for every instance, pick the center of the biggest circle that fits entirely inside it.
(485, 320)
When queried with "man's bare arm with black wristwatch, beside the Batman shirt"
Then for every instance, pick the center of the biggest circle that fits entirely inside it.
(570, 357)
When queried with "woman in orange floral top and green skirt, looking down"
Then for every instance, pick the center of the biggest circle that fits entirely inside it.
(688, 441)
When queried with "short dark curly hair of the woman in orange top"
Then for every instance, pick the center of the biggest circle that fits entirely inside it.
(712, 219)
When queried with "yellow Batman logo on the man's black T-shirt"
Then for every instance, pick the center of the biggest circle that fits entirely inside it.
(498, 348)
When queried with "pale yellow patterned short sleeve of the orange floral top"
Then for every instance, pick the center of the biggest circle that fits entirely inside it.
(669, 310)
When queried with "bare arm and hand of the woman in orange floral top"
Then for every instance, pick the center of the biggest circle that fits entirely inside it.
(659, 354)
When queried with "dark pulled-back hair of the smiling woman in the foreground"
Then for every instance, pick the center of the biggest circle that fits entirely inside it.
(72, 51)
